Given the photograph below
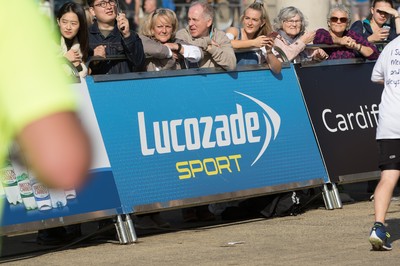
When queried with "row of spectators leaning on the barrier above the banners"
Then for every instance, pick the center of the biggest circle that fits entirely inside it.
(108, 37)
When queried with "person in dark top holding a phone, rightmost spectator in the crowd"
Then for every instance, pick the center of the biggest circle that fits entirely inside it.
(383, 24)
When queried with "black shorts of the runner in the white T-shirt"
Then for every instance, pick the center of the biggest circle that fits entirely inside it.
(389, 154)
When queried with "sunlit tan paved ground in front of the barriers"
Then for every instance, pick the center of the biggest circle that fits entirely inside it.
(317, 237)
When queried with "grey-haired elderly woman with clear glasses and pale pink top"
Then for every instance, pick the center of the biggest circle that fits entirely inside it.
(292, 39)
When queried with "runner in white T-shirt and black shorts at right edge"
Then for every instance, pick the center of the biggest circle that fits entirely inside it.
(387, 72)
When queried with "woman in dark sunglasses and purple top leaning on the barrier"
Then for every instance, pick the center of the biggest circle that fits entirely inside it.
(349, 44)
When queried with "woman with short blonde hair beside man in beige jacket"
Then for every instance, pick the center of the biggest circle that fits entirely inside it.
(163, 51)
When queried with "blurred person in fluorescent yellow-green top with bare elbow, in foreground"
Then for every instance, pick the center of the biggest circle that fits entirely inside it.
(37, 105)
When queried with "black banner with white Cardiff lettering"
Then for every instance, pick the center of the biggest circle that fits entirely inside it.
(343, 104)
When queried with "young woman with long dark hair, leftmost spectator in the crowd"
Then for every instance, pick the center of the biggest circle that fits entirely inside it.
(71, 19)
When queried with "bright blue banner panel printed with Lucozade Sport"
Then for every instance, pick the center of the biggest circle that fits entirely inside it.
(174, 138)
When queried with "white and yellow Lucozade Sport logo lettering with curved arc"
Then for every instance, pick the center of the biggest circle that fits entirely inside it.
(210, 132)
